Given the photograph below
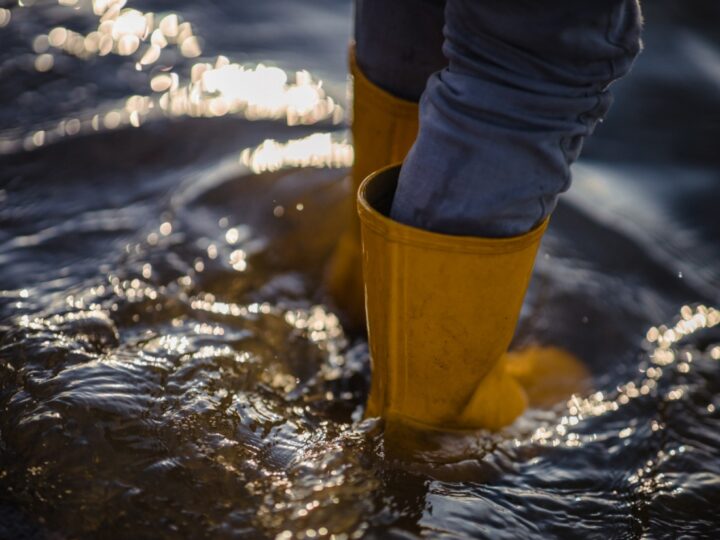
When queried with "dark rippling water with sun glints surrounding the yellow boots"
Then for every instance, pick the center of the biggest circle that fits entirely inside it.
(169, 369)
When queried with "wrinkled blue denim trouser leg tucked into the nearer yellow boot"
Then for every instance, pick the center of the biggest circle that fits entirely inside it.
(525, 83)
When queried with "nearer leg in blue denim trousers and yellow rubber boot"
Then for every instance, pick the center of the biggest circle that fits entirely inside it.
(499, 128)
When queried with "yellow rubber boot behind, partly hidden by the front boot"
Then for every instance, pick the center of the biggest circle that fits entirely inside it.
(384, 128)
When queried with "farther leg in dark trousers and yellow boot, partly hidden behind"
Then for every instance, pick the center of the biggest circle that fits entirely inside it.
(398, 45)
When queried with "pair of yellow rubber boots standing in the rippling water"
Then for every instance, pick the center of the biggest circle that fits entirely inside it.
(441, 310)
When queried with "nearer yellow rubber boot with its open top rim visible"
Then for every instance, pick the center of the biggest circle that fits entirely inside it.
(441, 312)
